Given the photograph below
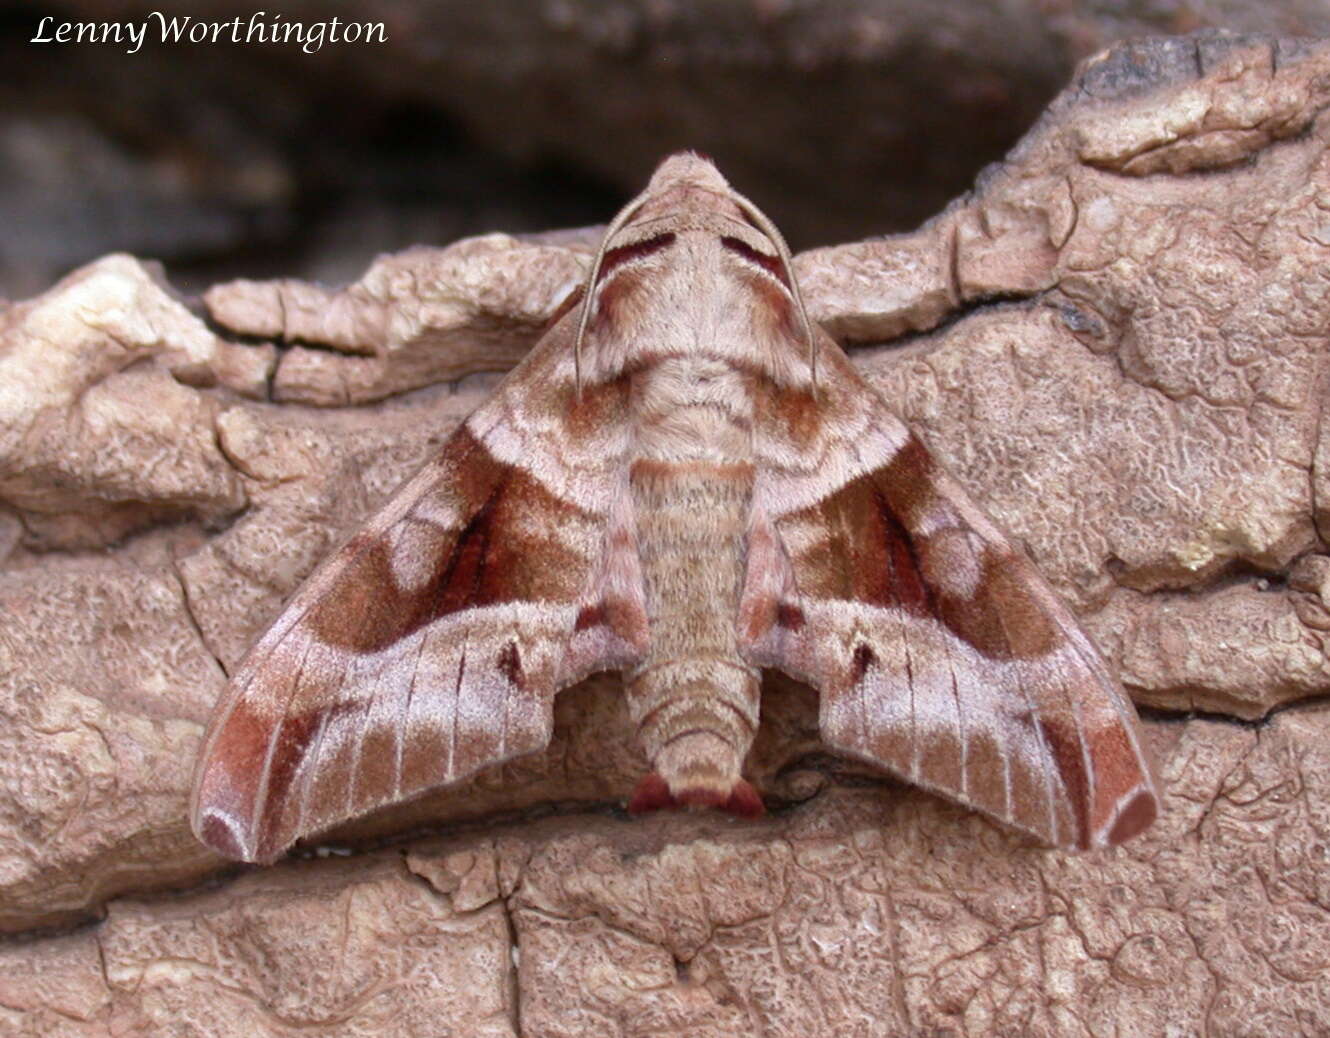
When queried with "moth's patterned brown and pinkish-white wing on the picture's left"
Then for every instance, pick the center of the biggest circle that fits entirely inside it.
(433, 643)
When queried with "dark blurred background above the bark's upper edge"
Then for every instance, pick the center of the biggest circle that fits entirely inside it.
(843, 119)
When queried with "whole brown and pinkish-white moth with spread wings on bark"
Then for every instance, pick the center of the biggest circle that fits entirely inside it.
(688, 482)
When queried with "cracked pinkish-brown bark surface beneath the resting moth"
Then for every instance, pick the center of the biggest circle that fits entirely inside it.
(1118, 344)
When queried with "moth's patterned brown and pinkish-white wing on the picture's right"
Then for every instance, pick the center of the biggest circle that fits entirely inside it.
(938, 650)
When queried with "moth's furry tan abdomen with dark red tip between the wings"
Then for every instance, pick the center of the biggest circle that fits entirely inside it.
(695, 699)
